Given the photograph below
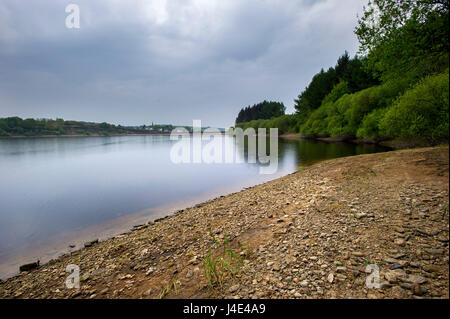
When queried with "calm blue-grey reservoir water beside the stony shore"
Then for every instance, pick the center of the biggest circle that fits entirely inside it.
(60, 191)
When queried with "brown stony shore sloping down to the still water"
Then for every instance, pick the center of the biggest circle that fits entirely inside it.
(311, 234)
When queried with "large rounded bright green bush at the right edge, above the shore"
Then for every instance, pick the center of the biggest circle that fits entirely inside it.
(421, 113)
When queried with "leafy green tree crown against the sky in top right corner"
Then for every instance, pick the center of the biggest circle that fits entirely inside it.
(408, 38)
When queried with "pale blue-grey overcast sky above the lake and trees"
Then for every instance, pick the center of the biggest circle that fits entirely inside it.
(165, 61)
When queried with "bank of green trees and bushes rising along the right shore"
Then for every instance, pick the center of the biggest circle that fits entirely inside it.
(396, 88)
